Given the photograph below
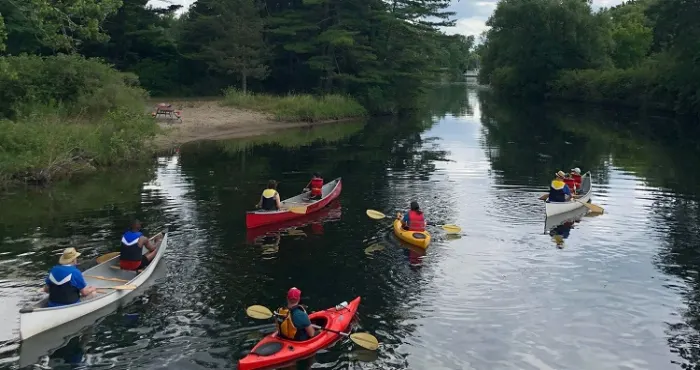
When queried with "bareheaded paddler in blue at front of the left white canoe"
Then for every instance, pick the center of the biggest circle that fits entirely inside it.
(133, 242)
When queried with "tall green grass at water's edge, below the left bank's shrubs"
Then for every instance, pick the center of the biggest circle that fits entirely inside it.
(42, 147)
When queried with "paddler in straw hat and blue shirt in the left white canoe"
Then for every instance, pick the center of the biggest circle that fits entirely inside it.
(65, 283)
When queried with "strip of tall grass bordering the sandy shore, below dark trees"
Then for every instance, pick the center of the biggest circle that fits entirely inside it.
(296, 107)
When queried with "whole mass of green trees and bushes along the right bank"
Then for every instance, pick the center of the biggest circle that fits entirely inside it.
(639, 53)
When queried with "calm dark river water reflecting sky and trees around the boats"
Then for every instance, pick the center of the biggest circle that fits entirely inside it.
(621, 292)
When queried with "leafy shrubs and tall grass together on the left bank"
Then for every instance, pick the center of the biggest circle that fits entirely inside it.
(66, 114)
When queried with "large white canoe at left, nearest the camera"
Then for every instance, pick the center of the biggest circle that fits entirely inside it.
(37, 318)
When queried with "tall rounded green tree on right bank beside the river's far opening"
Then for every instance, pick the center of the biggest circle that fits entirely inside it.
(530, 41)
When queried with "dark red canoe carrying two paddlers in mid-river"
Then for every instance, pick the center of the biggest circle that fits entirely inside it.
(330, 191)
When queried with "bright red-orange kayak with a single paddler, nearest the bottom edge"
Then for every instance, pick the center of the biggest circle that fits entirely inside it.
(273, 351)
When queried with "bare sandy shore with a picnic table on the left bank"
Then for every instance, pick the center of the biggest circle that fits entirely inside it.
(208, 120)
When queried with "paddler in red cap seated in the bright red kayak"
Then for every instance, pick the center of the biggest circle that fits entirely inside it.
(292, 321)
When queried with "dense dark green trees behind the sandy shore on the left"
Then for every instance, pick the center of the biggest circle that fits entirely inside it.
(383, 54)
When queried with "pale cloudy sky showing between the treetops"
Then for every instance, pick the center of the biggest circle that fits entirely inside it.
(471, 14)
